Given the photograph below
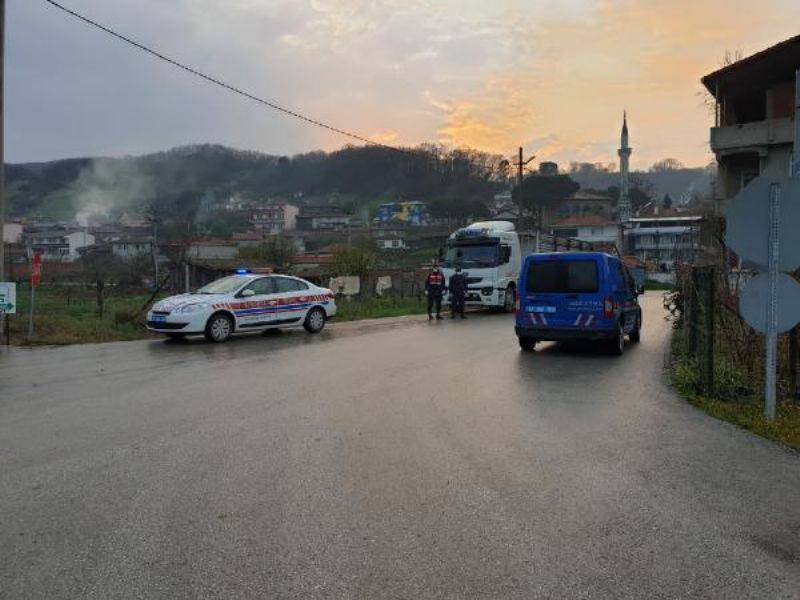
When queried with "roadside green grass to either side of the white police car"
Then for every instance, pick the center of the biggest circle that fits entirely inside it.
(68, 315)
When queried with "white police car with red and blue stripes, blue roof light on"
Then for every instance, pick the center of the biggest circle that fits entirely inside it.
(243, 302)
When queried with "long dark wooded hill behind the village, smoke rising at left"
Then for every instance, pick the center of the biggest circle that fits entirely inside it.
(189, 179)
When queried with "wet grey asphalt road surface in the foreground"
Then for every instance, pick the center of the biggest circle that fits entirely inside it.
(404, 460)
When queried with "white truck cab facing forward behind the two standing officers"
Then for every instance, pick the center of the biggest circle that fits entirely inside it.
(490, 254)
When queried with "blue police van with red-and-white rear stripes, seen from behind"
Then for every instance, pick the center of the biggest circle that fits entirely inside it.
(570, 296)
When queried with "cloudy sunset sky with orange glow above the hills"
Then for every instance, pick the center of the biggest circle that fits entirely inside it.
(552, 75)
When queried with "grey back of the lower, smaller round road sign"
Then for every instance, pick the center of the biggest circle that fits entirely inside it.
(755, 298)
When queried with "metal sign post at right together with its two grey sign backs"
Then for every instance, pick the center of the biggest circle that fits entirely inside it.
(761, 225)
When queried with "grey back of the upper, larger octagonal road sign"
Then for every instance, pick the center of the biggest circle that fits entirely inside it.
(748, 223)
